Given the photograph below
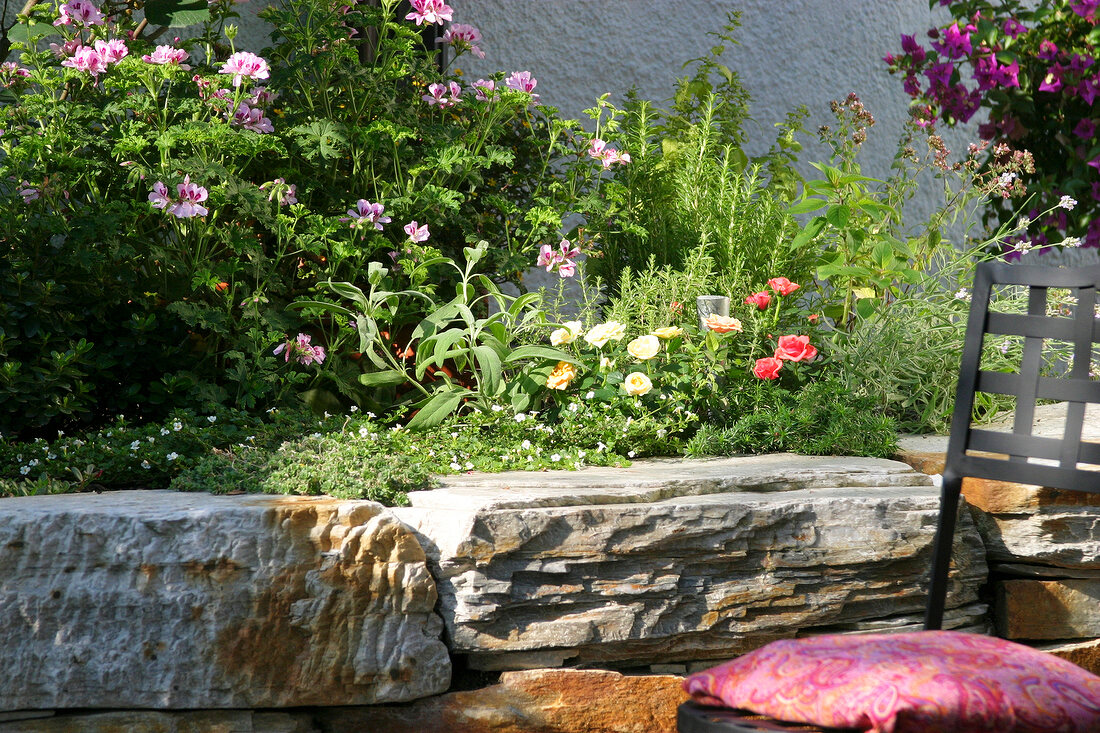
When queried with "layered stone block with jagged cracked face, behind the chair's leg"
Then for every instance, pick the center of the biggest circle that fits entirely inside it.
(681, 561)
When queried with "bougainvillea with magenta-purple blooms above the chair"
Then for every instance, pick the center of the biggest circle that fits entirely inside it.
(1035, 68)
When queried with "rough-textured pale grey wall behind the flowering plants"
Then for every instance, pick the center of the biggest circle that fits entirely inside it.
(791, 53)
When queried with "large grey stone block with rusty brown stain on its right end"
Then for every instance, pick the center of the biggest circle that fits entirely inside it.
(156, 599)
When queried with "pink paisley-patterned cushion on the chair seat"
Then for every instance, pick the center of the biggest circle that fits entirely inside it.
(923, 682)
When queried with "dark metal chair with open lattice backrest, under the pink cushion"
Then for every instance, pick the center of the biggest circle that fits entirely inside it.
(1019, 456)
